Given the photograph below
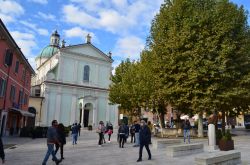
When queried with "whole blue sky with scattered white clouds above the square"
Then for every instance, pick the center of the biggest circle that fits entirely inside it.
(119, 26)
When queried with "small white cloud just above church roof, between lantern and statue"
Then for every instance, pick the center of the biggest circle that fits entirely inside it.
(80, 33)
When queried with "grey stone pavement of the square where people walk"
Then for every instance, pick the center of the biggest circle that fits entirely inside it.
(87, 152)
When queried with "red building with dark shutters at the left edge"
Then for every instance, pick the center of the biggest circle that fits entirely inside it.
(15, 80)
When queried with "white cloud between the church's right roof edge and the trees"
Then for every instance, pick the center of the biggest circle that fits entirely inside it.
(129, 47)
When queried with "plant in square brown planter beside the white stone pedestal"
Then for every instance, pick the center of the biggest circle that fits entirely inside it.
(226, 143)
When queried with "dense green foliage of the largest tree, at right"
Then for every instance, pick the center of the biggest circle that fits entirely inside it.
(202, 54)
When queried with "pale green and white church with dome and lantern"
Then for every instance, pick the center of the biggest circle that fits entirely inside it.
(72, 83)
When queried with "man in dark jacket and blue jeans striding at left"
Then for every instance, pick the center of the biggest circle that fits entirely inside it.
(52, 138)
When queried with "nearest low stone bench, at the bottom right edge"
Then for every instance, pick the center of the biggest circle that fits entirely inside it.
(219, 158)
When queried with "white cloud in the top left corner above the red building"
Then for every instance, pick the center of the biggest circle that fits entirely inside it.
(9, 10)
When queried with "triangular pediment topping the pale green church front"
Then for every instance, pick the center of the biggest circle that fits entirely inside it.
(87, 50)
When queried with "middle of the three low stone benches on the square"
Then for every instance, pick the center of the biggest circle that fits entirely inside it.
(184, 149)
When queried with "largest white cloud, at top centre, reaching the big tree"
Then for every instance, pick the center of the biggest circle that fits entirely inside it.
(116, 16)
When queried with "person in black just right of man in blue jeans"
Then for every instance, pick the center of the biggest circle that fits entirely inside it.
(61, 138)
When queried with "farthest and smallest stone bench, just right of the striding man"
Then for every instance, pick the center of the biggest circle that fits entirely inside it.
(163, 143)
